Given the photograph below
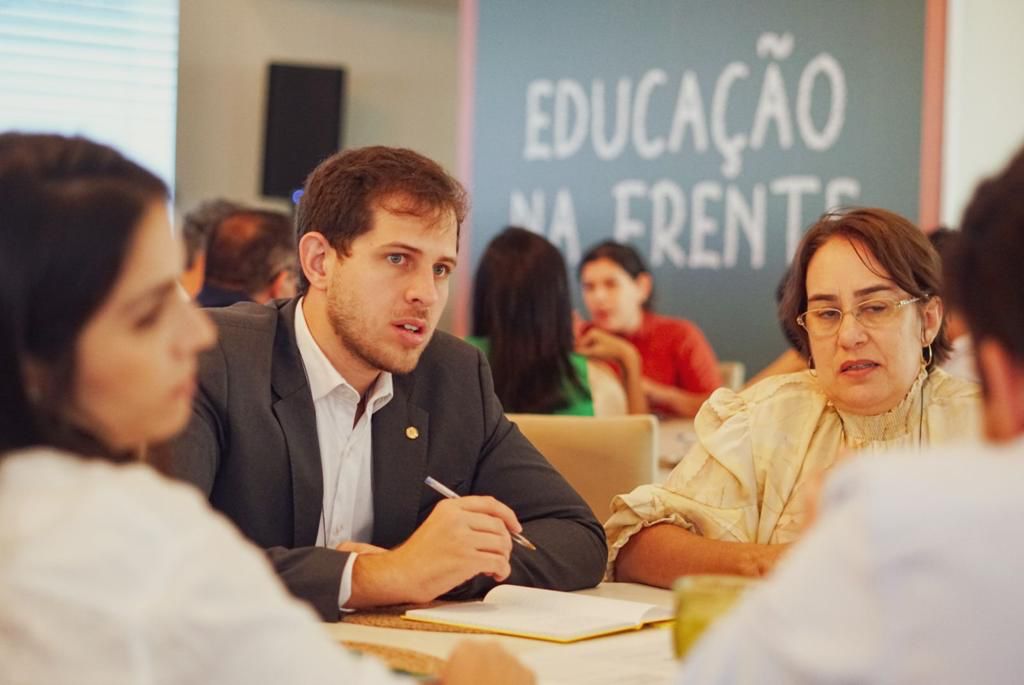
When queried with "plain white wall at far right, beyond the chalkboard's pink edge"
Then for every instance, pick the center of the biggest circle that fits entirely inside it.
(985, 97)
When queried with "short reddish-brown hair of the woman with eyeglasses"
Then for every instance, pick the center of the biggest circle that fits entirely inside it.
(900, 248)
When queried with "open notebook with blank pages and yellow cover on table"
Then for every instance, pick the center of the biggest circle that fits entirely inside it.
(545, 615)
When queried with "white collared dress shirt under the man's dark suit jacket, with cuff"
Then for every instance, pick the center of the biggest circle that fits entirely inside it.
(346, 446)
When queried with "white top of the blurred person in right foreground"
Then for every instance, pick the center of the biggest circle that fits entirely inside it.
(910, 576)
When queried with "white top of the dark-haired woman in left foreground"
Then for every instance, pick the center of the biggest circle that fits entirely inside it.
(112, 575)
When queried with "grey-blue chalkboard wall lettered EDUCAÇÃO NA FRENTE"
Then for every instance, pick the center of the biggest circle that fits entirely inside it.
(707, 135)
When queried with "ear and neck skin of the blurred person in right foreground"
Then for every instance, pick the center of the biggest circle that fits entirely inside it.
(1003, 382)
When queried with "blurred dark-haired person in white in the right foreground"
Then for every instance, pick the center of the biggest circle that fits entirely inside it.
(911, 575)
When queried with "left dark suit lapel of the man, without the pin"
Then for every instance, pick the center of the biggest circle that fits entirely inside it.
(294, 409)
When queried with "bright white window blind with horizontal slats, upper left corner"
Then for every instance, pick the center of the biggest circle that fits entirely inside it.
(104, 69)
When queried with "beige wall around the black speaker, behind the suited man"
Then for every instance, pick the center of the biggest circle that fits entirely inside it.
(402, 62)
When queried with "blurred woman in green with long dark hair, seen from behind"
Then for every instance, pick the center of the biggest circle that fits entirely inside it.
(523, 322)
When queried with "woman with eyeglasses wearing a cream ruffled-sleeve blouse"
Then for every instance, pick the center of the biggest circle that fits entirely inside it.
(862, 302)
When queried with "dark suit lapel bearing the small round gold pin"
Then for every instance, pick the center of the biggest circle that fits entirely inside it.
(400, 464)
